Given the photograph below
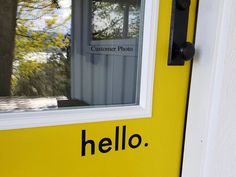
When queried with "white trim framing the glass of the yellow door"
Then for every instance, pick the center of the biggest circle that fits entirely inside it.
(85, 115)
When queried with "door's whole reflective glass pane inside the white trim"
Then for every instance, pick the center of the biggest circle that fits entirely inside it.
(39, 70)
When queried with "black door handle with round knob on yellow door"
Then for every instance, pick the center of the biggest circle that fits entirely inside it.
(180, 50)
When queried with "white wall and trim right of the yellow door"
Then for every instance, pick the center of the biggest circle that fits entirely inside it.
(210, 148)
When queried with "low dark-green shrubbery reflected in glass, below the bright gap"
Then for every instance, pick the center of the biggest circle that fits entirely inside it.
(33, 78)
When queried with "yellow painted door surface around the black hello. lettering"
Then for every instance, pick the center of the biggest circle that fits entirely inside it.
(56, 151)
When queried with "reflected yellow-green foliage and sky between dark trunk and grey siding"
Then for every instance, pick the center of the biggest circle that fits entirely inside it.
(42, 57)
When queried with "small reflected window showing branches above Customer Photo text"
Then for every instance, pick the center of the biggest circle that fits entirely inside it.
(115, 19)
